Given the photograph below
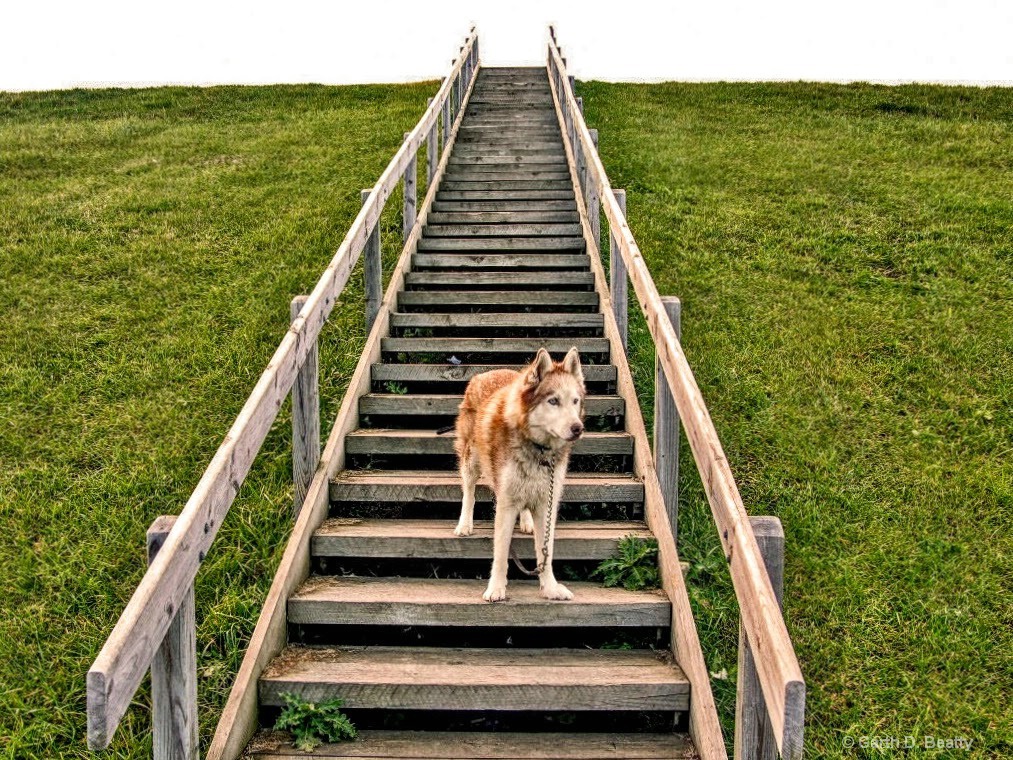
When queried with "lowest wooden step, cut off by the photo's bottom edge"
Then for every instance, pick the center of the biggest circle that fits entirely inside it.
(445, 745)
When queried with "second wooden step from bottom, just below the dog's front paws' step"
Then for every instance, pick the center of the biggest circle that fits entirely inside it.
(478, 679)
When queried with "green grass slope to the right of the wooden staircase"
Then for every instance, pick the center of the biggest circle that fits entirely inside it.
(845, 260)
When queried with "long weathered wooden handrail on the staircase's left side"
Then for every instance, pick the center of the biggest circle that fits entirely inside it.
(127, 654)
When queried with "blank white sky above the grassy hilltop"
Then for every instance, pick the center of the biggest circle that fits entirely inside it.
(56, 44)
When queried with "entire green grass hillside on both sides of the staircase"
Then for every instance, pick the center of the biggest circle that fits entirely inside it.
(844, 259)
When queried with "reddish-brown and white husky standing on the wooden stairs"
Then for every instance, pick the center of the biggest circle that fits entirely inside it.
(518, 429)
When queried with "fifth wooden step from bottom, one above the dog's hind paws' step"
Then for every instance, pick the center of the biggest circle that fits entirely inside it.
(429, 486)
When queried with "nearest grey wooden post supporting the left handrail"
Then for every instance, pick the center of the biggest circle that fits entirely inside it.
(174, 671)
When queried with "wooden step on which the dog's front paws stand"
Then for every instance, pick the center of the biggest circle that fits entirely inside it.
(336, 600)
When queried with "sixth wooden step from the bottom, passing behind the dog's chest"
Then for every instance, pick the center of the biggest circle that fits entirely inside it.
(384, 441)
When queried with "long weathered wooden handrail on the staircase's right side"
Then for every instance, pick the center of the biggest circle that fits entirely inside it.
(780, 674)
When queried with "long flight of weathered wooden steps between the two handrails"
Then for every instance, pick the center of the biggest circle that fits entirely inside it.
(392, 619)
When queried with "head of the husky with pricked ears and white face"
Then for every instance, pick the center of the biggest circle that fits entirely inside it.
(554, 399)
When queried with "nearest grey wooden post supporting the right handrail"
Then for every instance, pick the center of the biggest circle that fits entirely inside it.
(755, 738)
